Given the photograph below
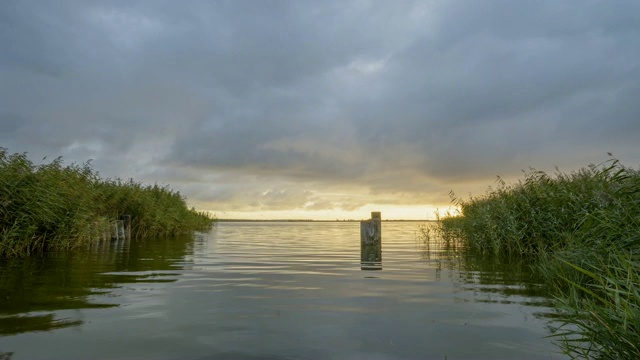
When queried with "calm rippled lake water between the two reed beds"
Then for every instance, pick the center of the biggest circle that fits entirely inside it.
(271, 291)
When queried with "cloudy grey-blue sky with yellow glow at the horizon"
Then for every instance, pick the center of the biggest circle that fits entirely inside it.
(321, 109)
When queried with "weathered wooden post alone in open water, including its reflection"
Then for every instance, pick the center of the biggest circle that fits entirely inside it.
(371, 242)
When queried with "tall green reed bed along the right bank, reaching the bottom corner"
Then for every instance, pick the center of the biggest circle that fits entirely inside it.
(581, 231)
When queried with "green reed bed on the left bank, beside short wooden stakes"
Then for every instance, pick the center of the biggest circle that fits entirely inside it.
(55, 207)
